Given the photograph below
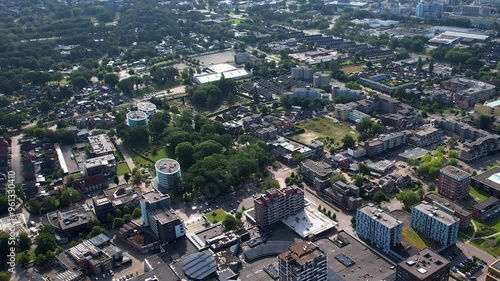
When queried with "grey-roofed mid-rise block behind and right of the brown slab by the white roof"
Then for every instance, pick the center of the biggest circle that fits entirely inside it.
(316, 172)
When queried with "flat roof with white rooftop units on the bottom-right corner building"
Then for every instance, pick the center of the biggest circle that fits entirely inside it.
(424, 264)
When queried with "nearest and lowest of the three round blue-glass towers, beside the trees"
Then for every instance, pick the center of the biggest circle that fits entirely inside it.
(168, 173)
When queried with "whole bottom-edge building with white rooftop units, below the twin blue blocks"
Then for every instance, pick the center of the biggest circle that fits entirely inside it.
(426, 265)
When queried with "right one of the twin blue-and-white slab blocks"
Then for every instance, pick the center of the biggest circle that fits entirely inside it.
(436, 224)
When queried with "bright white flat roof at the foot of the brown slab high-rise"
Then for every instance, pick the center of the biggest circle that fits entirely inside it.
(309, 222)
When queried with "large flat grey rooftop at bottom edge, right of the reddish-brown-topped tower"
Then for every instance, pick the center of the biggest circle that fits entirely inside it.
(367, 265)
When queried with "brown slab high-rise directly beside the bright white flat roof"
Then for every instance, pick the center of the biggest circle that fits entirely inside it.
(278, 204)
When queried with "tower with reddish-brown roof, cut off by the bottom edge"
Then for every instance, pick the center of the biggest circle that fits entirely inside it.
(303, 261)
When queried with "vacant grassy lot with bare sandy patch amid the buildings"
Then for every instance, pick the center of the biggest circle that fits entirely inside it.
(325, 130)
